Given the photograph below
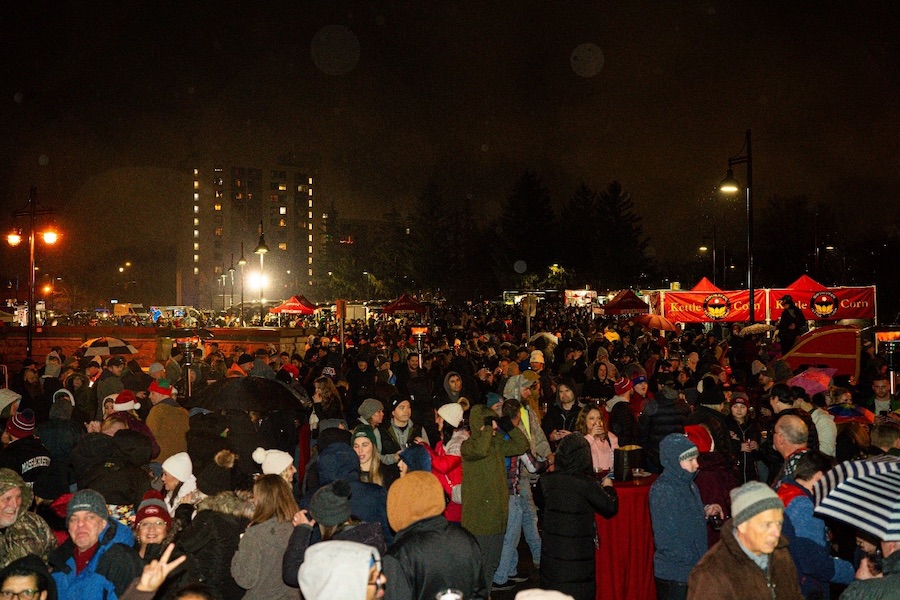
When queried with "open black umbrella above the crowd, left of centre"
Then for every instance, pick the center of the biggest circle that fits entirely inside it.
(259, 394)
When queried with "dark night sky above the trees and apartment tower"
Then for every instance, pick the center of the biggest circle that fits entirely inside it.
(122, 98)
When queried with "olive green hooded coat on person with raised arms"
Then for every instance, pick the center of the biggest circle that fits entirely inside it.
(485, 495)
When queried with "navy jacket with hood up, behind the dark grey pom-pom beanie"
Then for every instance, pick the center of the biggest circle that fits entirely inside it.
(368, 501)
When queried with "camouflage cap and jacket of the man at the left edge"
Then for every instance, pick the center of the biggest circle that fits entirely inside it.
(29, 534)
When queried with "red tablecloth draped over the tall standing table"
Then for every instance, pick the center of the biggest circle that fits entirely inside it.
(624, 560)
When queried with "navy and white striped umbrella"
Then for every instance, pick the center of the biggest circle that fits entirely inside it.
(863, 493)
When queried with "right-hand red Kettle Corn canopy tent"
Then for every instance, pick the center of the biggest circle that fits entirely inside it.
(818, 302)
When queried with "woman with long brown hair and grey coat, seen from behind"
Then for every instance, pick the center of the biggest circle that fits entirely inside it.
(252, 566)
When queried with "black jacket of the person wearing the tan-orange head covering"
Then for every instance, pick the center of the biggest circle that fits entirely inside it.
(432, 555)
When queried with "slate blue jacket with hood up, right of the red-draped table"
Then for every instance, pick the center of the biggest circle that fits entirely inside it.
(676, 511)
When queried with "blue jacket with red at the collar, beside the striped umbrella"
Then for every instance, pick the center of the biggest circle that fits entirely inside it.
(816, 568)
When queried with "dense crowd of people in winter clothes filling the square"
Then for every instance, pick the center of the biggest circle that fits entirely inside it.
(412, 467)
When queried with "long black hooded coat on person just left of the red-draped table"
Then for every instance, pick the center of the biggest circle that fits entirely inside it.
(571, 498)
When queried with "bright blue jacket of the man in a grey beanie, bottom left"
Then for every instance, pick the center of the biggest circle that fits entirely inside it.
(109, 573)
